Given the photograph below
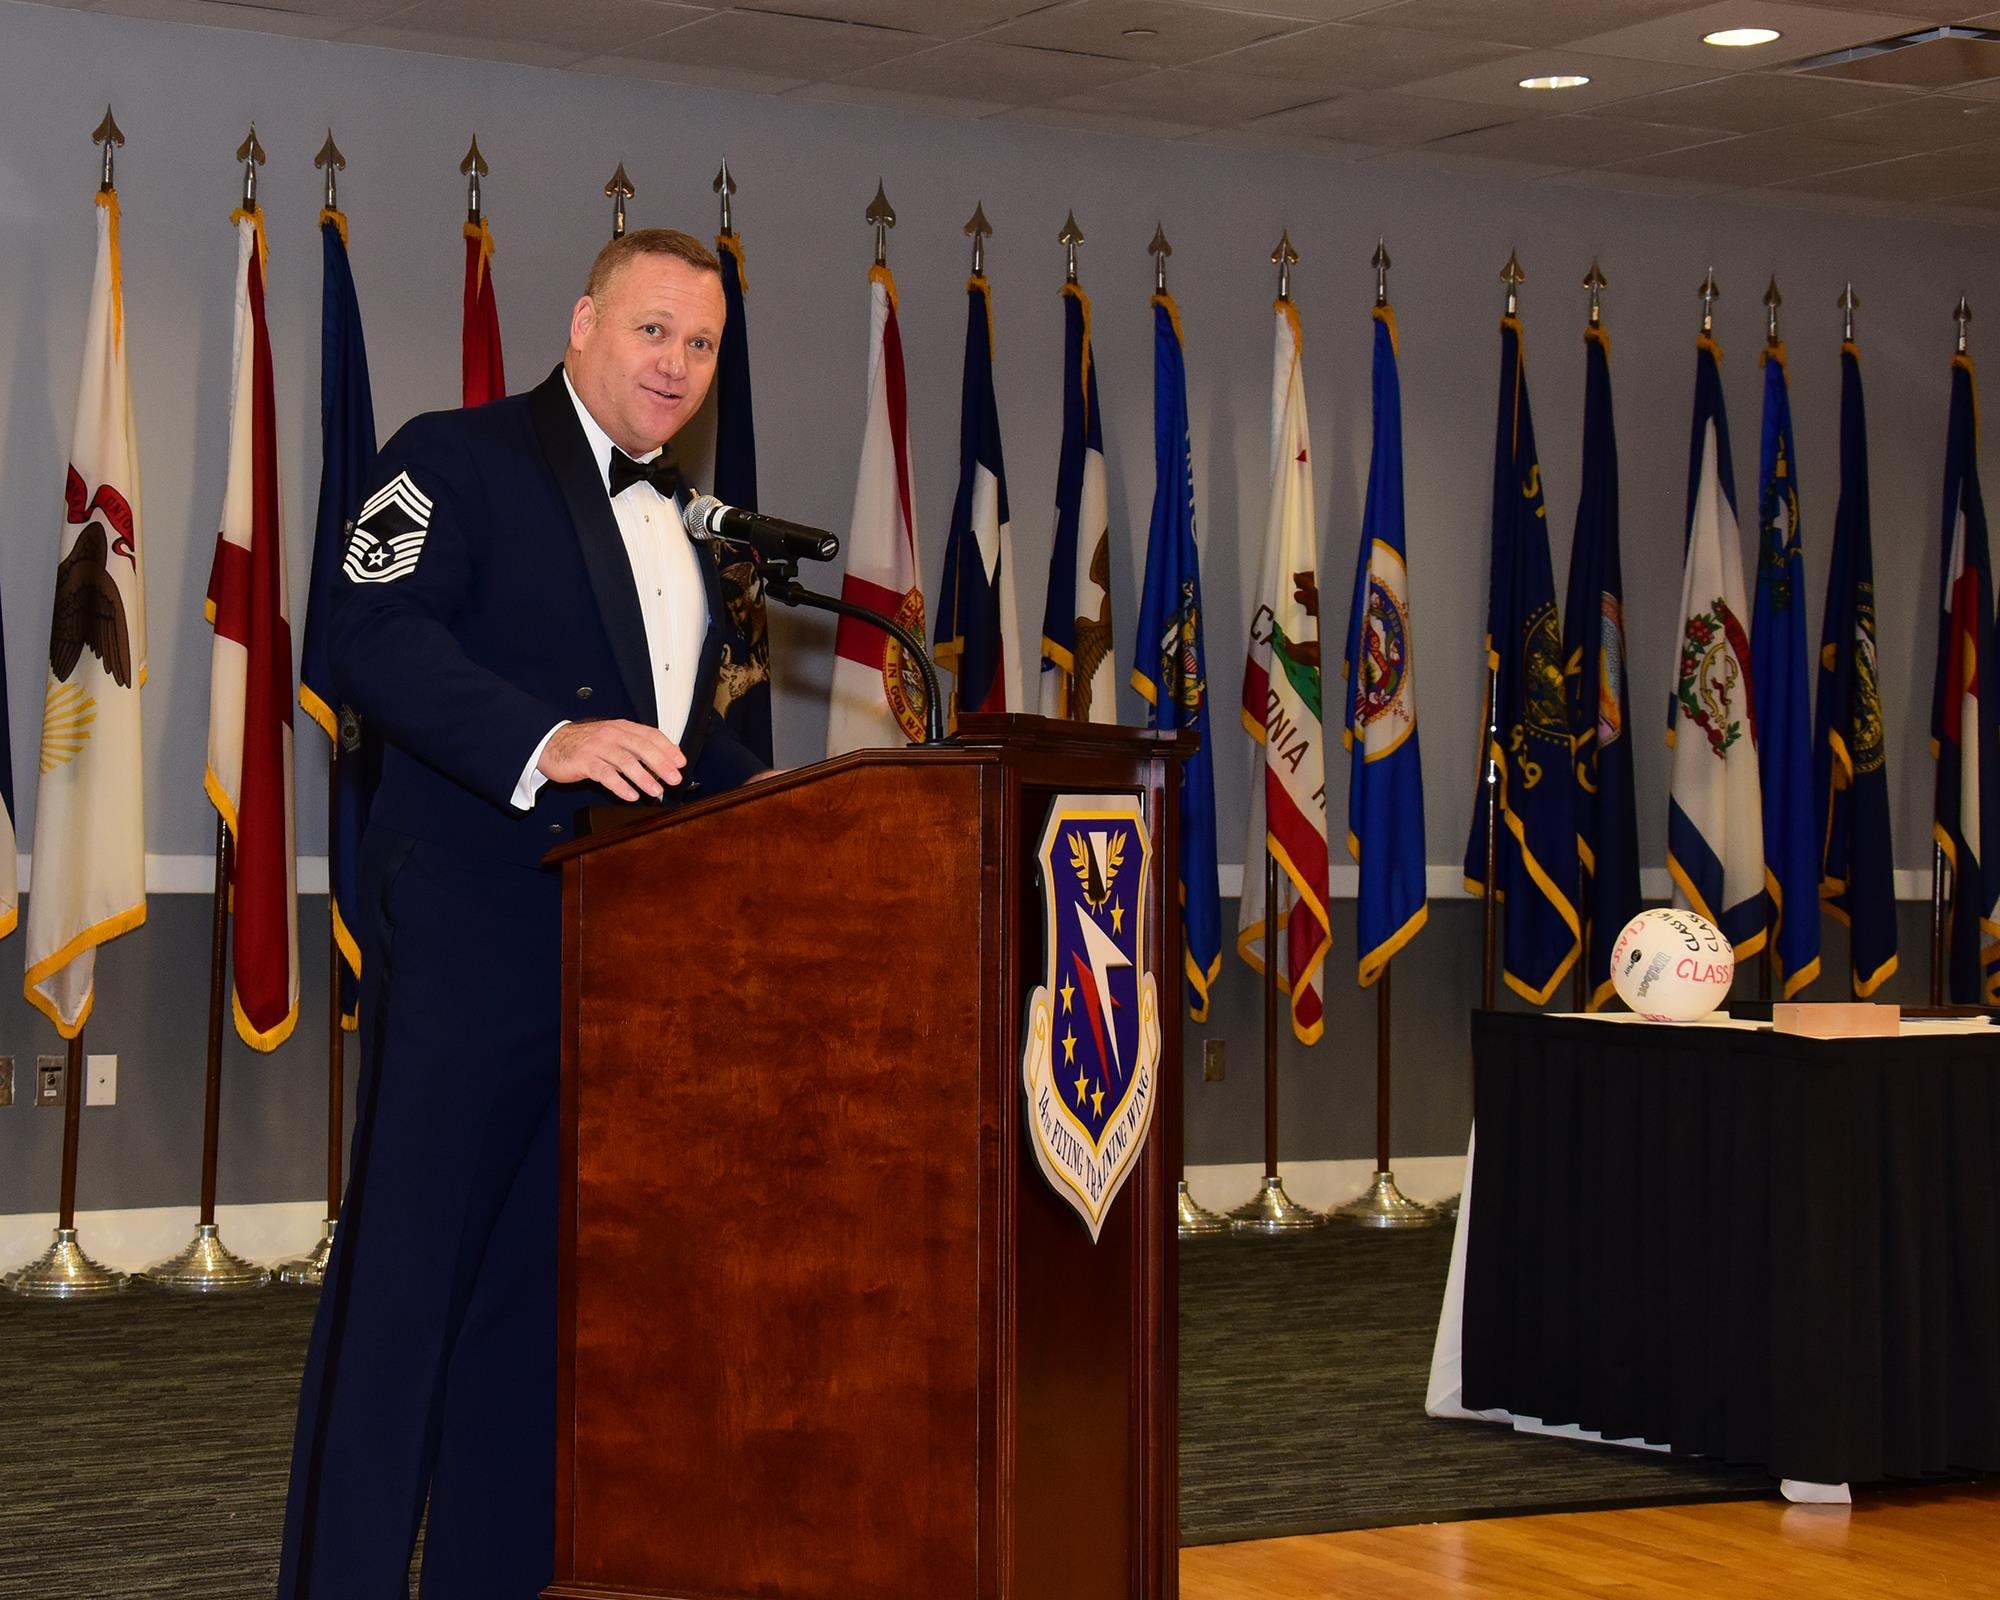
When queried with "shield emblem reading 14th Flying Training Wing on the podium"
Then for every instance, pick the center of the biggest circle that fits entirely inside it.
(1093, 1041)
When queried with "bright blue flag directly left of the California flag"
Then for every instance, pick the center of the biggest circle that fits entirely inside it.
(1169, 665)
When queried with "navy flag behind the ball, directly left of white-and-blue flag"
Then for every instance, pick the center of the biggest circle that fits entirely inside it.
(1595, 665)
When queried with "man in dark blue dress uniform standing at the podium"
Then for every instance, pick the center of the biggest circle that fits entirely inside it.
(531, 629)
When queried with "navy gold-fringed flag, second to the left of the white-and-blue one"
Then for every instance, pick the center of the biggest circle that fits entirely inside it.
(1529, 717)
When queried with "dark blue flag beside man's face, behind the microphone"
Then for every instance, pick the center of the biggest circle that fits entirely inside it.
(743, 685)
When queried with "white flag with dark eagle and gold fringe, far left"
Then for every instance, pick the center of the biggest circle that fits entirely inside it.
(91, 807)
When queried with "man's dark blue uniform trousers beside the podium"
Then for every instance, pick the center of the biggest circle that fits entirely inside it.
(433, 1365)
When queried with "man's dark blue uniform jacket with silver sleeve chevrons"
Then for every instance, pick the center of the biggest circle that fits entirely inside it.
(487, 597)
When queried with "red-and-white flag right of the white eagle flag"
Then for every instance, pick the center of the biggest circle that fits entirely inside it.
(251, 681)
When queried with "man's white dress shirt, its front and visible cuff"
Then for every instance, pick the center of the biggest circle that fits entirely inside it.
(671, 595)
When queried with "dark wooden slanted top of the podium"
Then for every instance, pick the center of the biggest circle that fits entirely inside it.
(989, 737)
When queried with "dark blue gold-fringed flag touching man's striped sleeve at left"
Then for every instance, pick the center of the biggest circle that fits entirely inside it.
(347, 465)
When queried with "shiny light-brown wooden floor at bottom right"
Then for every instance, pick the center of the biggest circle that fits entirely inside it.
(1909, 1545)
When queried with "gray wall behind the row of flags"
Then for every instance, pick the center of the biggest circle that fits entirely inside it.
(185, 97)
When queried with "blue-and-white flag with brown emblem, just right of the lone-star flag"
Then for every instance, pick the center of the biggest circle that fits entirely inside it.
(1079, 659)
